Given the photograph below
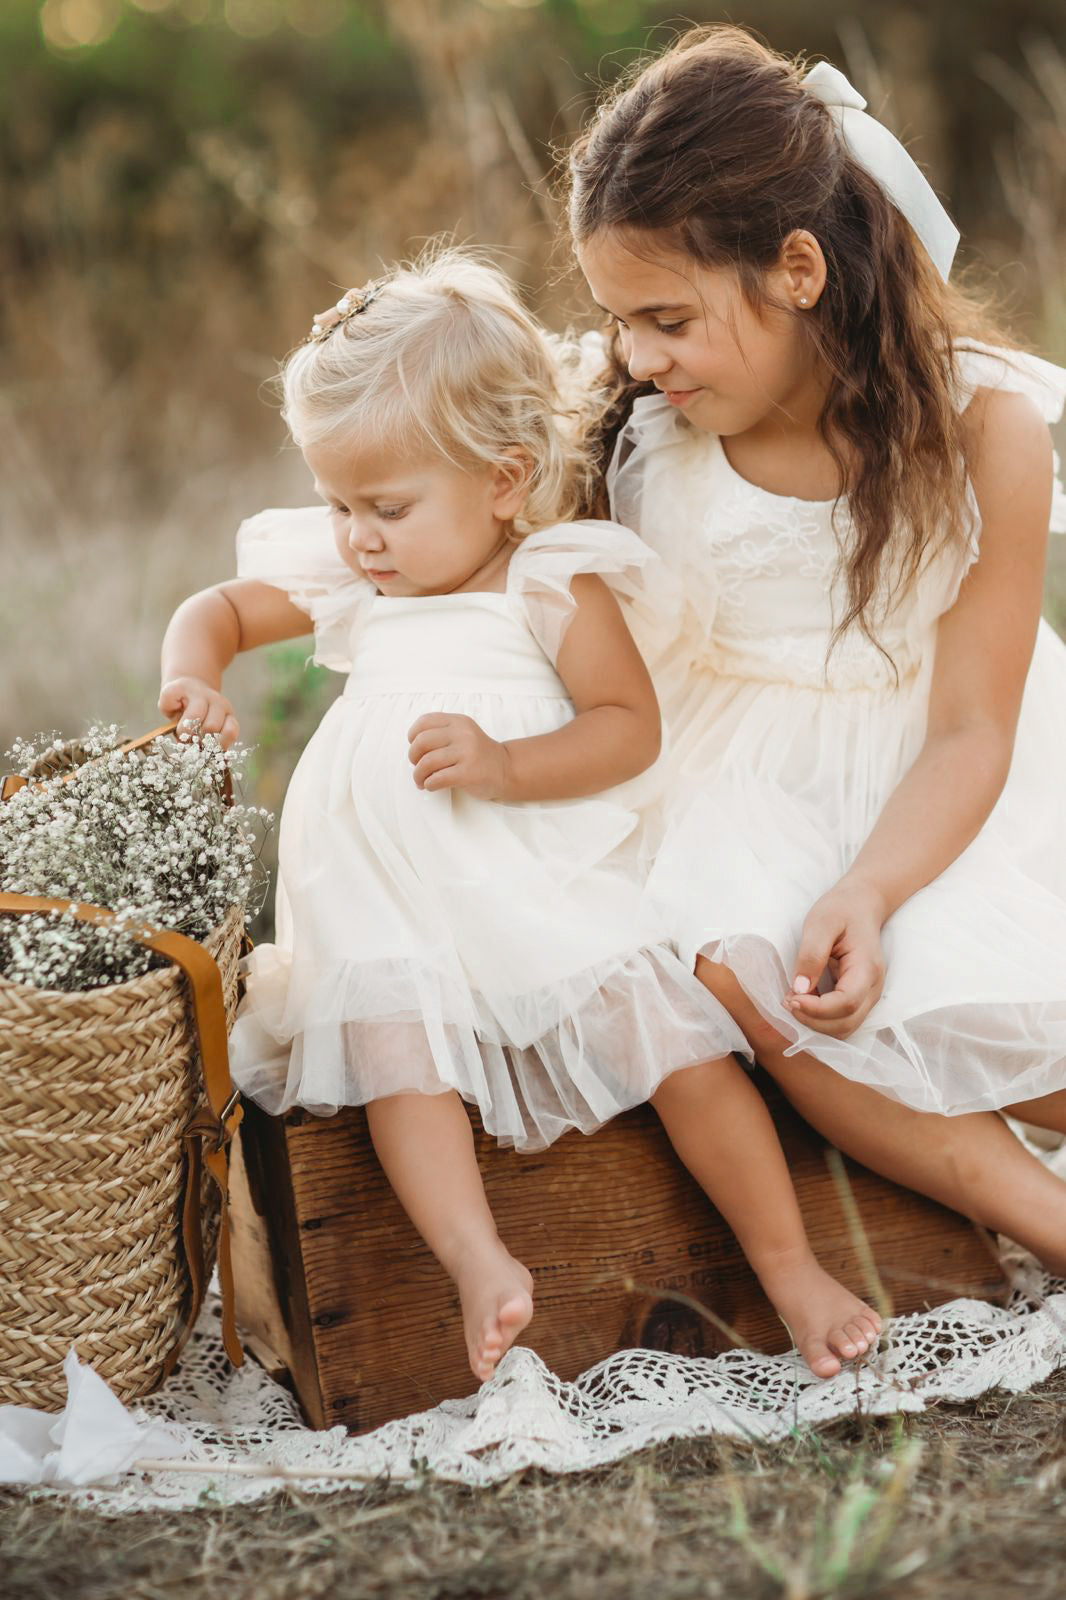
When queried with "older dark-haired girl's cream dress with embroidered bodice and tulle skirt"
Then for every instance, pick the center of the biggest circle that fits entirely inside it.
(783, 759)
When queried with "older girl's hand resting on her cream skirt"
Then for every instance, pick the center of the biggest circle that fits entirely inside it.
(843, 934)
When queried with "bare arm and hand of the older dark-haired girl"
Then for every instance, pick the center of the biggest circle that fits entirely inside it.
(984, 652)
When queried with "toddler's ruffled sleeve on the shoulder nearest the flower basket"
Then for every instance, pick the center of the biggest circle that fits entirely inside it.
(295, 551)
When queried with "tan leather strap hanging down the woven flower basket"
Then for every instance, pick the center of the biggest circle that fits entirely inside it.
(212, 1127)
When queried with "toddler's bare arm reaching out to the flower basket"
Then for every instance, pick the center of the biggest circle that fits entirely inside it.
(204, 636)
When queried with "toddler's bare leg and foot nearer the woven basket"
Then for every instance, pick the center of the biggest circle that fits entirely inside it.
(427, 1148)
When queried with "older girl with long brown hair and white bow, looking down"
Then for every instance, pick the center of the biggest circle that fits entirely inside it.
(868, 849)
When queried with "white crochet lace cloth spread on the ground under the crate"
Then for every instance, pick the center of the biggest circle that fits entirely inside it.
(244, 1434)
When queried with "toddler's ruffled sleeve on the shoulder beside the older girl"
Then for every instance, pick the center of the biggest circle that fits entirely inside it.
(547, 562)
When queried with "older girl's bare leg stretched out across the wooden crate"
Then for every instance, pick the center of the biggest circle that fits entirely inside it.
(972, 1164)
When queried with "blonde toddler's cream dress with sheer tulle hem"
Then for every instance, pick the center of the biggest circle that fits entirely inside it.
(433, 942)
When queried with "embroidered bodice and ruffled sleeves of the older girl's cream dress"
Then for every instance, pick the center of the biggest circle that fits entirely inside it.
(763, 572)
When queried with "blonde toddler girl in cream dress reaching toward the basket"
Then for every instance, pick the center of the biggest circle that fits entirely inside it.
(459, 906)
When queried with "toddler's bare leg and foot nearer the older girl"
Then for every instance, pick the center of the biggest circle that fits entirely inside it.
(723, 1132)
